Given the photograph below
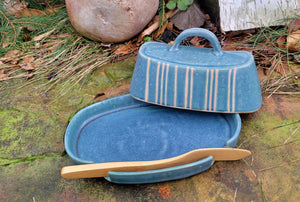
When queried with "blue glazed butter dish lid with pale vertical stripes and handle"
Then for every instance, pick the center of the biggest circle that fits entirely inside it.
(205, 79)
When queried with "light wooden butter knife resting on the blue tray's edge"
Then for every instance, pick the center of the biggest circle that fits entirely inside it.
(102, 169)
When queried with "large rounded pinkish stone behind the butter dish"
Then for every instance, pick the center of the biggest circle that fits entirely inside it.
(110, 20)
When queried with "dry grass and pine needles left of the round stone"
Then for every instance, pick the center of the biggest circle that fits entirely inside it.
(62, 56)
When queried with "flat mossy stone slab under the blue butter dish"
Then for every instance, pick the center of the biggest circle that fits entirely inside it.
(32, 154)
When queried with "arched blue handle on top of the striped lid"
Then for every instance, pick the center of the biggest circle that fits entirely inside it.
(211, 37)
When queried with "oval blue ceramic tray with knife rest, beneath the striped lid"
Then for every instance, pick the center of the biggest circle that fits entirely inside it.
(124, 129)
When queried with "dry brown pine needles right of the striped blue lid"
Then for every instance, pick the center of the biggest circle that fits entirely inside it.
(282, 73)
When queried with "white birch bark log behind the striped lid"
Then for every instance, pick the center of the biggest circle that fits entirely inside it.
(246, 14)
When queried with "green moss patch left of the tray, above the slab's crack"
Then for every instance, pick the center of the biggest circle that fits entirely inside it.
(29, 133)
